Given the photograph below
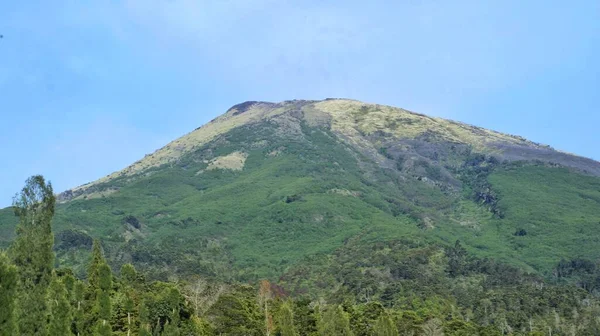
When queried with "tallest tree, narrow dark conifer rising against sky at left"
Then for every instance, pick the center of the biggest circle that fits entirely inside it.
(32, 253)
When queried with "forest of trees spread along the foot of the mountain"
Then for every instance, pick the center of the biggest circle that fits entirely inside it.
(428, 290)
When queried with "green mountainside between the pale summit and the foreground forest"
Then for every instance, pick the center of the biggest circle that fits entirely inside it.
(303, 192)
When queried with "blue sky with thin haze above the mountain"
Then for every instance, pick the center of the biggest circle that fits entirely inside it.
(88, 87)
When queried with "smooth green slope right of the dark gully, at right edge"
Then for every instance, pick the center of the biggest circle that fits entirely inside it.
(558, 210)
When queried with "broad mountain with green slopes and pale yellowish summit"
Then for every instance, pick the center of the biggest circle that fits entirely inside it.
(268, 187)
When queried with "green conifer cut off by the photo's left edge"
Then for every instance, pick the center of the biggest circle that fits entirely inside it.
(8, 289)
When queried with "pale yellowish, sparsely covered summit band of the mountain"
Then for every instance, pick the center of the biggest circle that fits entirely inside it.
(362, 125)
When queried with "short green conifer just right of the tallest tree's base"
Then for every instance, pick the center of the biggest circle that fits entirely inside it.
(59, 309)
